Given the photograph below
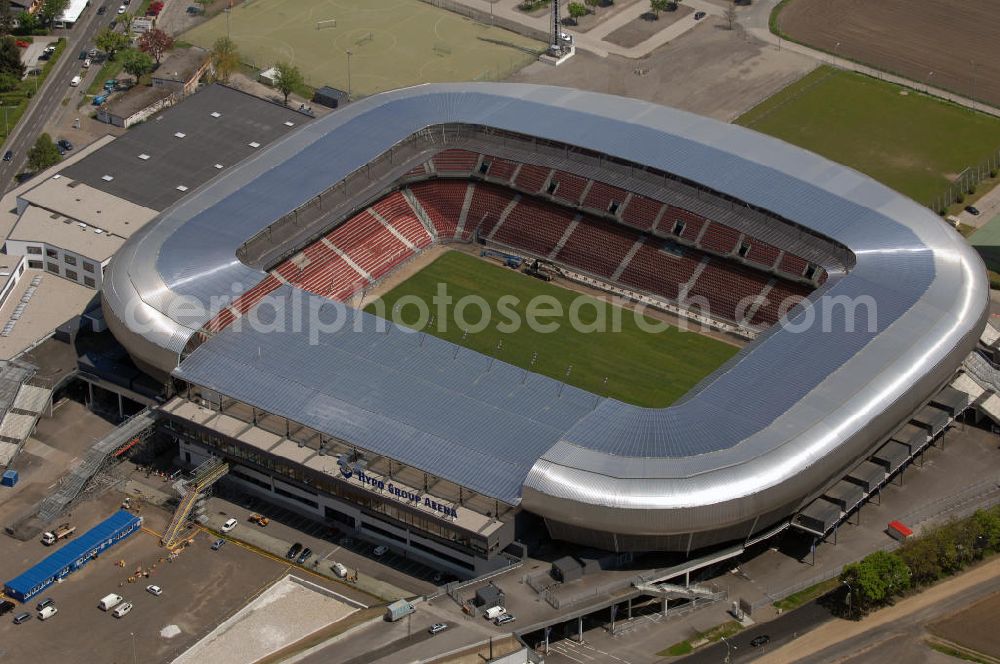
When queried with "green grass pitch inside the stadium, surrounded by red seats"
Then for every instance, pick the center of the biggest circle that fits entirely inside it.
(646, 368)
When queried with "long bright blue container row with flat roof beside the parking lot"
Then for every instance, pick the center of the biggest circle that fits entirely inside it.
(73, 555)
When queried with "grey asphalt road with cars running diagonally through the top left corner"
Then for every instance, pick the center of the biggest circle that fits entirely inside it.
(49, 96)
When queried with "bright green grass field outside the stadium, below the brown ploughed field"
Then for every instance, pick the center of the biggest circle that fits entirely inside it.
(911, 142)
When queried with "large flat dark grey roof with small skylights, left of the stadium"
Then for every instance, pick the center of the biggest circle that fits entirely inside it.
(190, 161)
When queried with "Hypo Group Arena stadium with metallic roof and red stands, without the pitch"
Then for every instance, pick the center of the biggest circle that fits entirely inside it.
(411, 440)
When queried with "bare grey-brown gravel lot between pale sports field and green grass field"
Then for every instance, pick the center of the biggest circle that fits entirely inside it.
(709, 70)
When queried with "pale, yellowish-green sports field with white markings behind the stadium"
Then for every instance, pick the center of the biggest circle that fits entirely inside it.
(393, 43)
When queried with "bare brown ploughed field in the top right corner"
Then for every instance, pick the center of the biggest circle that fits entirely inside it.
(949, 44)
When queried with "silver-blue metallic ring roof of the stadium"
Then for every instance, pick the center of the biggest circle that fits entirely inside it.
(760, 435)
